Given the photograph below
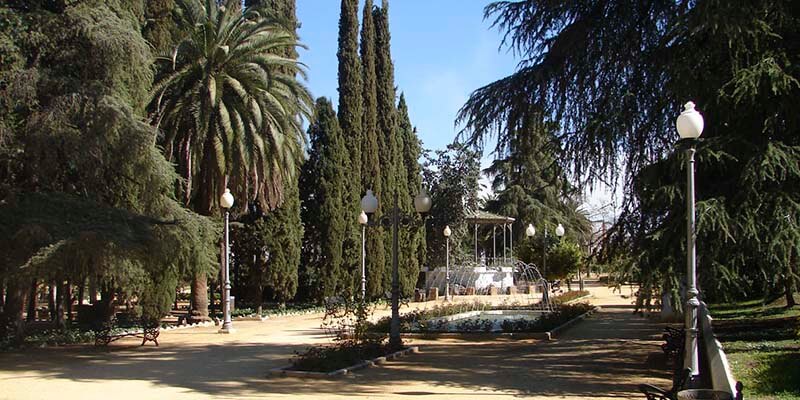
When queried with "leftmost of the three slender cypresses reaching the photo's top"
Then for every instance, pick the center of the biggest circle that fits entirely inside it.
(350, 119)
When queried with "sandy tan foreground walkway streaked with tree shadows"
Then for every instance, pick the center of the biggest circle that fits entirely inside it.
(603, 357)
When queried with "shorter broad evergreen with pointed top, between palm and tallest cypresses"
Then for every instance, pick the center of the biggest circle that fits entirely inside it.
(322, 182)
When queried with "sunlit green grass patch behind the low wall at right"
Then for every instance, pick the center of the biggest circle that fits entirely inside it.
(761, 342)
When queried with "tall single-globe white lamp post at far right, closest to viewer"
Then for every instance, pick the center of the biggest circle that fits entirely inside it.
(690, 126)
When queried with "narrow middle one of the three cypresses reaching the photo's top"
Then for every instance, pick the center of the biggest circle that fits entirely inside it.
(371, 166)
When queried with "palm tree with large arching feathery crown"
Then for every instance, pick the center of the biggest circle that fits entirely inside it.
(230, 109)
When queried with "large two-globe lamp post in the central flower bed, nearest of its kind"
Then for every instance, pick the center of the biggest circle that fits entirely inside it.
(422, 204)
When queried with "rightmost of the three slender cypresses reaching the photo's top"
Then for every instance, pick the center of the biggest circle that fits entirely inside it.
(388, 145)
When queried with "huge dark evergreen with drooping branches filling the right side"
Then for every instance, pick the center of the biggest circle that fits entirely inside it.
(582, 59)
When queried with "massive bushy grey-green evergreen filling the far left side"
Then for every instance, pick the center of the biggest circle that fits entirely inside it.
(86, 193)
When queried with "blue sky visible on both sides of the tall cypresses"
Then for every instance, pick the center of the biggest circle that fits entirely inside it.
(442, 51)
